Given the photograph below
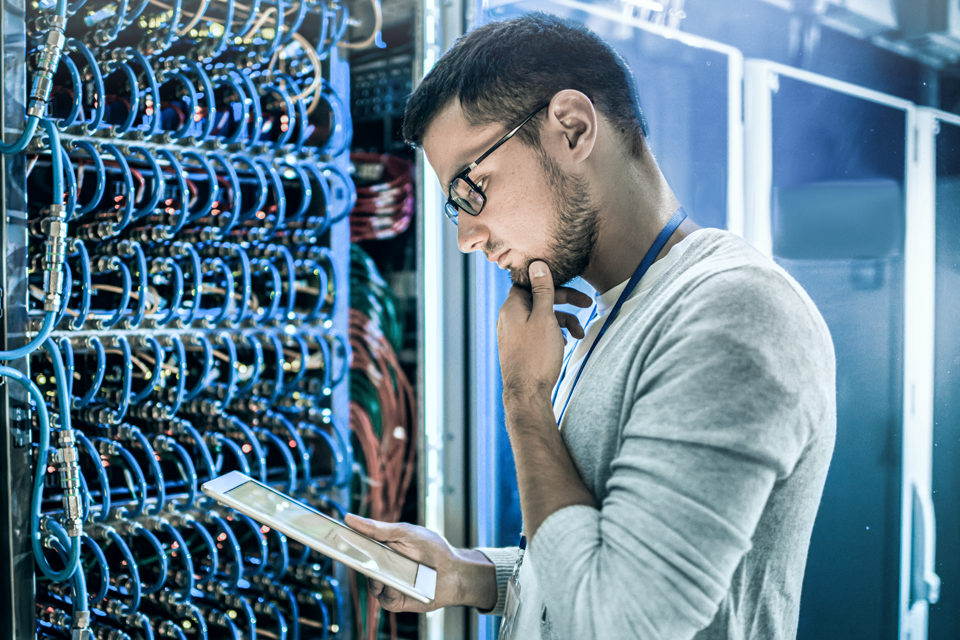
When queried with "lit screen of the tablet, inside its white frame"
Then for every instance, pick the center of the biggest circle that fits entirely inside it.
(313, 524)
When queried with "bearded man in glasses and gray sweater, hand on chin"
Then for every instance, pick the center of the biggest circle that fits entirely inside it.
(677, 497)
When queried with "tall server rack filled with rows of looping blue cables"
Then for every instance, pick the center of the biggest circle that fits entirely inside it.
(327, 406)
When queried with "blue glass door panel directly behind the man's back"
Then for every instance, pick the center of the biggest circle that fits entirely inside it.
(838, 221)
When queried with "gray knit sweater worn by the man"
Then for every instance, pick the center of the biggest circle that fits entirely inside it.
(704, 430)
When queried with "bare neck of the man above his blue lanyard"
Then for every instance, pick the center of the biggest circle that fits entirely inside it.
(636, 203)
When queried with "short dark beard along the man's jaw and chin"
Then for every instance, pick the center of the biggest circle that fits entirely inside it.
(577, 220)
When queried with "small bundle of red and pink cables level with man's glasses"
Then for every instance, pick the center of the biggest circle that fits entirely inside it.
(385, 208)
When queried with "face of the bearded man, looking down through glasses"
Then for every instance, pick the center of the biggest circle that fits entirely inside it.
(533, 211)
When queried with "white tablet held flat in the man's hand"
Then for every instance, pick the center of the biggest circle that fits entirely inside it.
(328, 536)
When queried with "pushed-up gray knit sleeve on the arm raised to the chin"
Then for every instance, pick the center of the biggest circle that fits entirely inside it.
(717, 418)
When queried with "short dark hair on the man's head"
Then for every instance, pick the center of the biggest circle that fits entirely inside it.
(502, 71)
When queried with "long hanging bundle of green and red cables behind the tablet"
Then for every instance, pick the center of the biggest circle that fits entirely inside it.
(382, 411)
